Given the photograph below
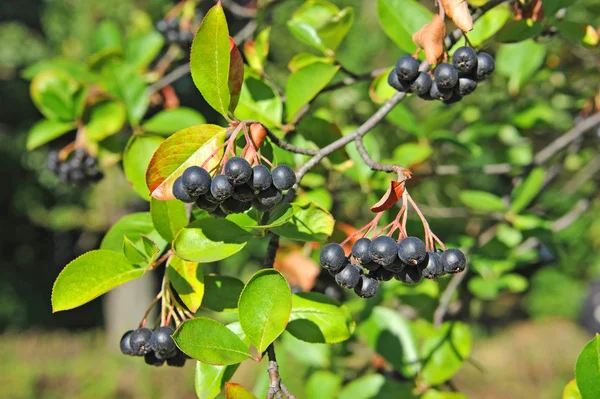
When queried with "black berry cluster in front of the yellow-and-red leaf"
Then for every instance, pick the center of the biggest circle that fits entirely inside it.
(239, 188)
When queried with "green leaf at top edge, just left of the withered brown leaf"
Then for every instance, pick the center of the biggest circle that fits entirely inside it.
(400, 19)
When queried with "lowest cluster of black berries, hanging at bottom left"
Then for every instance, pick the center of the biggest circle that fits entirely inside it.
(156, 346)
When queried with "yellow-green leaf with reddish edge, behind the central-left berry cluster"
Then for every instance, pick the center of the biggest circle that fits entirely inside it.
(187, 147)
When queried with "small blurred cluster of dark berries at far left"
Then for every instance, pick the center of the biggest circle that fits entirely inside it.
(78, 168)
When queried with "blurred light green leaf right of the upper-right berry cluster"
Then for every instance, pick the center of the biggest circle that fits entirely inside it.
(519, 61)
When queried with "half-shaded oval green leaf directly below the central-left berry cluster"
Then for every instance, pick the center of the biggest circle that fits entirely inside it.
(210, 240)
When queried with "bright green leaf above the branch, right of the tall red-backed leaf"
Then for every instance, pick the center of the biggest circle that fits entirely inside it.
(304, 84)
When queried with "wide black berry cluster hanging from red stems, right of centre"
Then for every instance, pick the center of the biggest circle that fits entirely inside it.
(384, 259)
